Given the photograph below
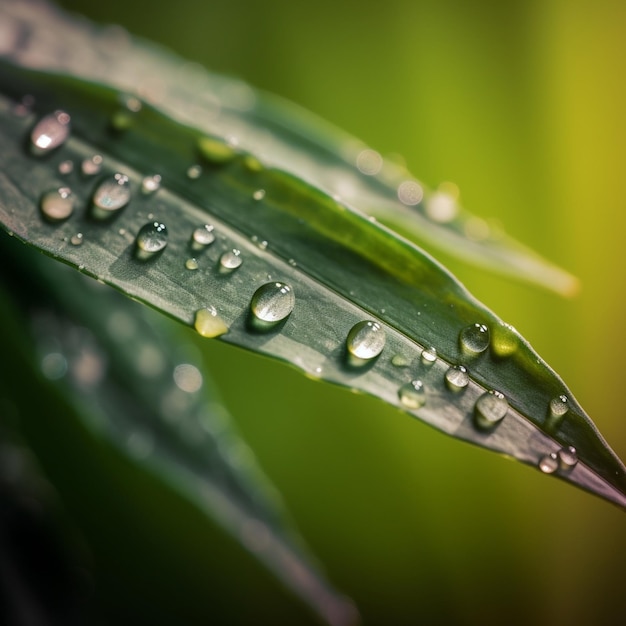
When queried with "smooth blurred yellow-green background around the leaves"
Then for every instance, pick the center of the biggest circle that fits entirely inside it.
(522, 105)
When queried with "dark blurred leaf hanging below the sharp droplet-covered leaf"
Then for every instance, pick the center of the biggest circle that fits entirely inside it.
(134, 384)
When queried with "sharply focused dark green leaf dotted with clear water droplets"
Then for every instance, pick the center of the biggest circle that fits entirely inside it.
(342, 266)
